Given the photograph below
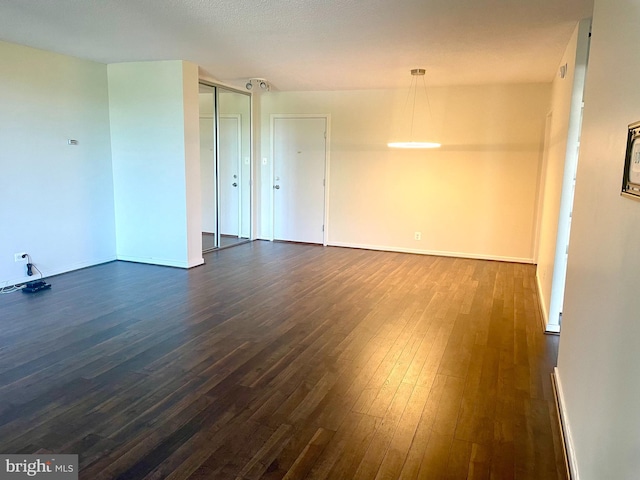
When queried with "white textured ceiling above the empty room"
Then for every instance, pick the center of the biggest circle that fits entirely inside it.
(311, 44)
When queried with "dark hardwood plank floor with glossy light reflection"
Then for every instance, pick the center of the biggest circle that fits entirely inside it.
(280, 360)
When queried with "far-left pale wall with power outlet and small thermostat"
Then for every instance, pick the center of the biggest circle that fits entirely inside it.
(56, 200)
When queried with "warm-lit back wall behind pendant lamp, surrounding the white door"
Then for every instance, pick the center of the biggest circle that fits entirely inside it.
(475, 197)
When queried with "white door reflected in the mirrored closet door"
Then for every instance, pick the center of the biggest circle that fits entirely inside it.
(229, 175)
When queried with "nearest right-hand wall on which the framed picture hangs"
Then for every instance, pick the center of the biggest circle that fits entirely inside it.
(599, 357)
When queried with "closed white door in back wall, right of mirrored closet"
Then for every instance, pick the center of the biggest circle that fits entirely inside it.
(299, 179)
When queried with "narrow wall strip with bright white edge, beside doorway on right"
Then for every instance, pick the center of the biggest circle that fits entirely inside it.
(561, 160)
